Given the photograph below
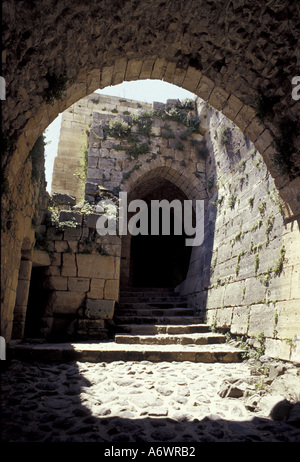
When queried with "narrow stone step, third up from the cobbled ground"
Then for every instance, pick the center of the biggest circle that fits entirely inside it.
(150, 329)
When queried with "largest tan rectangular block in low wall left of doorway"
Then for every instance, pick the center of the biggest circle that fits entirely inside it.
(95, 266)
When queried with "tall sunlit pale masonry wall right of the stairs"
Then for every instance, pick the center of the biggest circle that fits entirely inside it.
(245, 278)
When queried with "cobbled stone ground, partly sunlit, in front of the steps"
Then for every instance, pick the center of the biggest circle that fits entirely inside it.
(139, 401)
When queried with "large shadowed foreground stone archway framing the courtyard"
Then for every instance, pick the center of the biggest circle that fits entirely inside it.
(216, 51)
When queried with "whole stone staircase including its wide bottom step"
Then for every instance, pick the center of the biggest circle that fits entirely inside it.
(151, 325)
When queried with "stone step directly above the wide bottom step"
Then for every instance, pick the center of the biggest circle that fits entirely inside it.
(169, 339)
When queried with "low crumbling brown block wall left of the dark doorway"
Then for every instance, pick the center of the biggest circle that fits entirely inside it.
(81, 275)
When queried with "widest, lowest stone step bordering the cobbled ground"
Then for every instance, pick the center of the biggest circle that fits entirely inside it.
(111, 351)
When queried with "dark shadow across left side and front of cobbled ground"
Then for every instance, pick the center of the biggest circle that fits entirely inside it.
(45, 403)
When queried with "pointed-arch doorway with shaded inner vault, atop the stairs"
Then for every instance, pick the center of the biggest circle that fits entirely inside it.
(155, 260)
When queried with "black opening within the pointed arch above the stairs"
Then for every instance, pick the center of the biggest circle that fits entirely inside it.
(161, 260)
